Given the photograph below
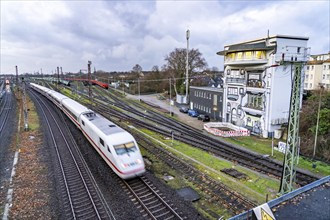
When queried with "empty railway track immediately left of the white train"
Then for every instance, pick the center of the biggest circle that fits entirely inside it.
(81, 196)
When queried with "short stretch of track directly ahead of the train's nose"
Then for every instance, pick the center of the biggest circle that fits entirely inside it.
(151, 201)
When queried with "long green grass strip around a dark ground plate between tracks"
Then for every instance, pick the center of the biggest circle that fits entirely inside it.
(256, 187)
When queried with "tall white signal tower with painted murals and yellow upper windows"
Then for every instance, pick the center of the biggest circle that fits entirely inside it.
(258, 81)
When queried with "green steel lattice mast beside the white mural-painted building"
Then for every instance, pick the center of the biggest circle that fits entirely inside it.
(291, 153)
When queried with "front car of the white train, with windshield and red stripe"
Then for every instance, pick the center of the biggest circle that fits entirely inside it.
(116, 146)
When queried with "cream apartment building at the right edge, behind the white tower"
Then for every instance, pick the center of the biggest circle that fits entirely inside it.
(317, 72)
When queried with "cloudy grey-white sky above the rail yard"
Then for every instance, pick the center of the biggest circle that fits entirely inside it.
(116, 35)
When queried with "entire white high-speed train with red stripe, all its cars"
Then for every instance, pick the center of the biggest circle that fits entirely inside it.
(116, 146)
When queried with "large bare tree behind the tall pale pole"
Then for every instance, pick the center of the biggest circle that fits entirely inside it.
(176, 66)
